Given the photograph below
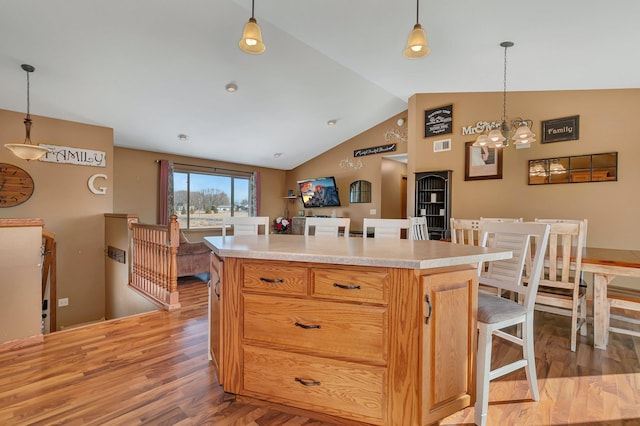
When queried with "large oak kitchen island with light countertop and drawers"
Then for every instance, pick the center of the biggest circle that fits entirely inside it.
(351, 330)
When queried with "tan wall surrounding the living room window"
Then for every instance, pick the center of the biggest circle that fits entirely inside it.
(136, 184)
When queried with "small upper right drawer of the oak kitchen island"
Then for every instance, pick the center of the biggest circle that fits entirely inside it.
(357, 284)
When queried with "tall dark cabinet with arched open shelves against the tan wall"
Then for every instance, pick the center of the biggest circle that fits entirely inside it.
(433, 201)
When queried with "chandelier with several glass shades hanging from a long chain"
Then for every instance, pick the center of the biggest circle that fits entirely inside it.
(499, 137)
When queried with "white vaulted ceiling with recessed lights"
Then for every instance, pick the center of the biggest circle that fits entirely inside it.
(152, 69)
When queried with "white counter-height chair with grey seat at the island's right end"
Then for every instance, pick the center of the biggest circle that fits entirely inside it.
(496, 313)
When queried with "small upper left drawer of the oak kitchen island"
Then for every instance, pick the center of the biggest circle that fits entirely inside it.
(276, 278)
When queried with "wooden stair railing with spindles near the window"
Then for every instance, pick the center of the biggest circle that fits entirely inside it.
(154, 271)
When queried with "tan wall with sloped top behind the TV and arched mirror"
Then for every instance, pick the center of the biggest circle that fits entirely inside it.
(328, 164)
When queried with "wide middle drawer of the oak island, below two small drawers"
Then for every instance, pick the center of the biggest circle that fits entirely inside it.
(348, 330)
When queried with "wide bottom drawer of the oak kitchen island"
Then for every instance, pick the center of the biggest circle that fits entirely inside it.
(325, 385)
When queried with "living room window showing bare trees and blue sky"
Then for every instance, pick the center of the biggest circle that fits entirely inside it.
(201, 200)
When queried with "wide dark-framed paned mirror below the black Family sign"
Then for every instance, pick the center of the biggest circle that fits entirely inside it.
(574, 169)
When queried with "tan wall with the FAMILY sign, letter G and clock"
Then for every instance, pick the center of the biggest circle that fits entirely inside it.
(63, 200)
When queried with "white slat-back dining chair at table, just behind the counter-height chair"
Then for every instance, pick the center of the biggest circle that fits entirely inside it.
(559, 291)
